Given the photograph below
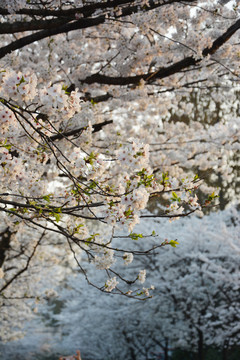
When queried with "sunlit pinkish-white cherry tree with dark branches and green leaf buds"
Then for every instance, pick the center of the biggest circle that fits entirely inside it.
(89, 95)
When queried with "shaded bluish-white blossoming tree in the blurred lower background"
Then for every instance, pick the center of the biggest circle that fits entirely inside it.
(195, 304)
